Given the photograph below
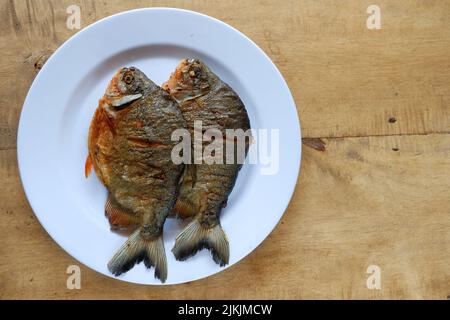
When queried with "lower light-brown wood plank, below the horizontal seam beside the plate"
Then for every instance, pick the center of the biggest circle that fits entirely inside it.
(357, 203)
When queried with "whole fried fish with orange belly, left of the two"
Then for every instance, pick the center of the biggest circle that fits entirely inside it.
(130, 149)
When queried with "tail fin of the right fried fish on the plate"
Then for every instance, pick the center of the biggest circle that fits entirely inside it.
(196, 236)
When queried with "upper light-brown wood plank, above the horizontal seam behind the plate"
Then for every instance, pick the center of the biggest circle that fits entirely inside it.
(347, 80)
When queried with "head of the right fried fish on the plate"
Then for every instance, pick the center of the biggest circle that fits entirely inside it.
(190, 80)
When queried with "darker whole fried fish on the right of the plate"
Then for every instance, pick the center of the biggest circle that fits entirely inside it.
(205, 188)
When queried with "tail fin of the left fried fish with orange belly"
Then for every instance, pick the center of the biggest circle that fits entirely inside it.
(137, 249)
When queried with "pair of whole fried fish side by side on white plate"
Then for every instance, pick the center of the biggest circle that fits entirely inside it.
(130, 150)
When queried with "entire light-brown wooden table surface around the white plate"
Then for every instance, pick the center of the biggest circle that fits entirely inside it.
(374, 184)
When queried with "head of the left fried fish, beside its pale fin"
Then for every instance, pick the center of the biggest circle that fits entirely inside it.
(126, 87)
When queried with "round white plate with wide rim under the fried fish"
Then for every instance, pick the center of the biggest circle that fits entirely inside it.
(52, 137)
